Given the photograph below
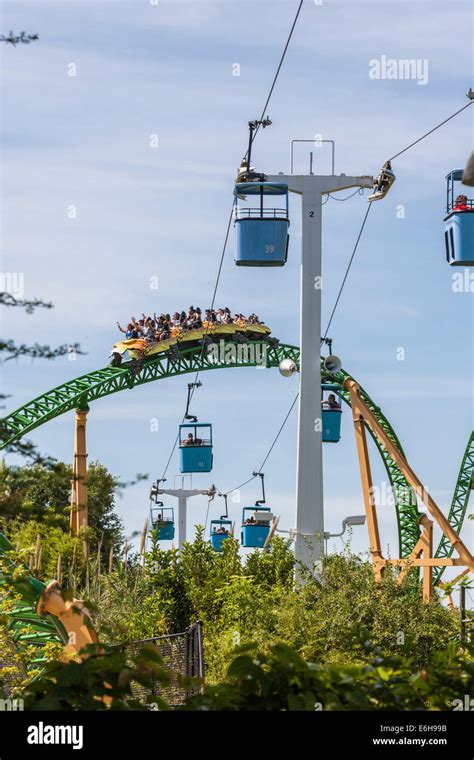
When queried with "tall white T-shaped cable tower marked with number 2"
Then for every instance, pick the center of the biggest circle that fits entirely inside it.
(309, 476)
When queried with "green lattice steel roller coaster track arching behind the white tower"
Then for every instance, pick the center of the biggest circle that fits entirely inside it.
(78, 393)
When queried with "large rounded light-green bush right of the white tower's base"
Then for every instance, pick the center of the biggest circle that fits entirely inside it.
(322, 618)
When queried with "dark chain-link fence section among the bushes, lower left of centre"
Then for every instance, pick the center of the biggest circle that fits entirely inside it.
(182, 654)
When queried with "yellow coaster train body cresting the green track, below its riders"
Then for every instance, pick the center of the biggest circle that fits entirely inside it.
(139, 348)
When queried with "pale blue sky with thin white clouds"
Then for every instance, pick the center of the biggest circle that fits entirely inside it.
(81, 108)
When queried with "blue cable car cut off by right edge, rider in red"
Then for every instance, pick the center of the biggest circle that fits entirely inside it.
(458, 224)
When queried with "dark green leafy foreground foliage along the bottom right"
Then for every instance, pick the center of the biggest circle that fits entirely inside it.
(281, 680)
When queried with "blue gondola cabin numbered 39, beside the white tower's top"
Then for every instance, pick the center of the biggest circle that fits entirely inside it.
(261, 233)
